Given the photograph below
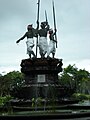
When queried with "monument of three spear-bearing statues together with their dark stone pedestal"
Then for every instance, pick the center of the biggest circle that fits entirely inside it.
(41, 74)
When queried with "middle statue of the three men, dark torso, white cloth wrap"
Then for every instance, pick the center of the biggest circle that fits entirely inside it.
(43, 44)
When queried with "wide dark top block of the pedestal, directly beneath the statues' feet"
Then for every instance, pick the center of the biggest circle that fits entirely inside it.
(41, 66)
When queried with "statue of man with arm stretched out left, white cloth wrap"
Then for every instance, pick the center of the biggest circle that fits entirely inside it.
(30, 41)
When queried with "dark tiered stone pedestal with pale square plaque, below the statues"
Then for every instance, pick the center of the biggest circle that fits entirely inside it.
(41, 78)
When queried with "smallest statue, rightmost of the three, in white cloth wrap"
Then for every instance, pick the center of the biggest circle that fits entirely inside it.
(51, 47)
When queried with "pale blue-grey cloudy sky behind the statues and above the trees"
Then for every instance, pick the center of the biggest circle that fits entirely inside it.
(73, 31)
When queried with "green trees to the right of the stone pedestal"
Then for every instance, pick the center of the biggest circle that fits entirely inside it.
(75, 79)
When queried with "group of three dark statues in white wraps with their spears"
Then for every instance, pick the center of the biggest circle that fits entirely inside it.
(41, 35)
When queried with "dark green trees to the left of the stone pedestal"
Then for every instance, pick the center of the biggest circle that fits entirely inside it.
(10, 80)
